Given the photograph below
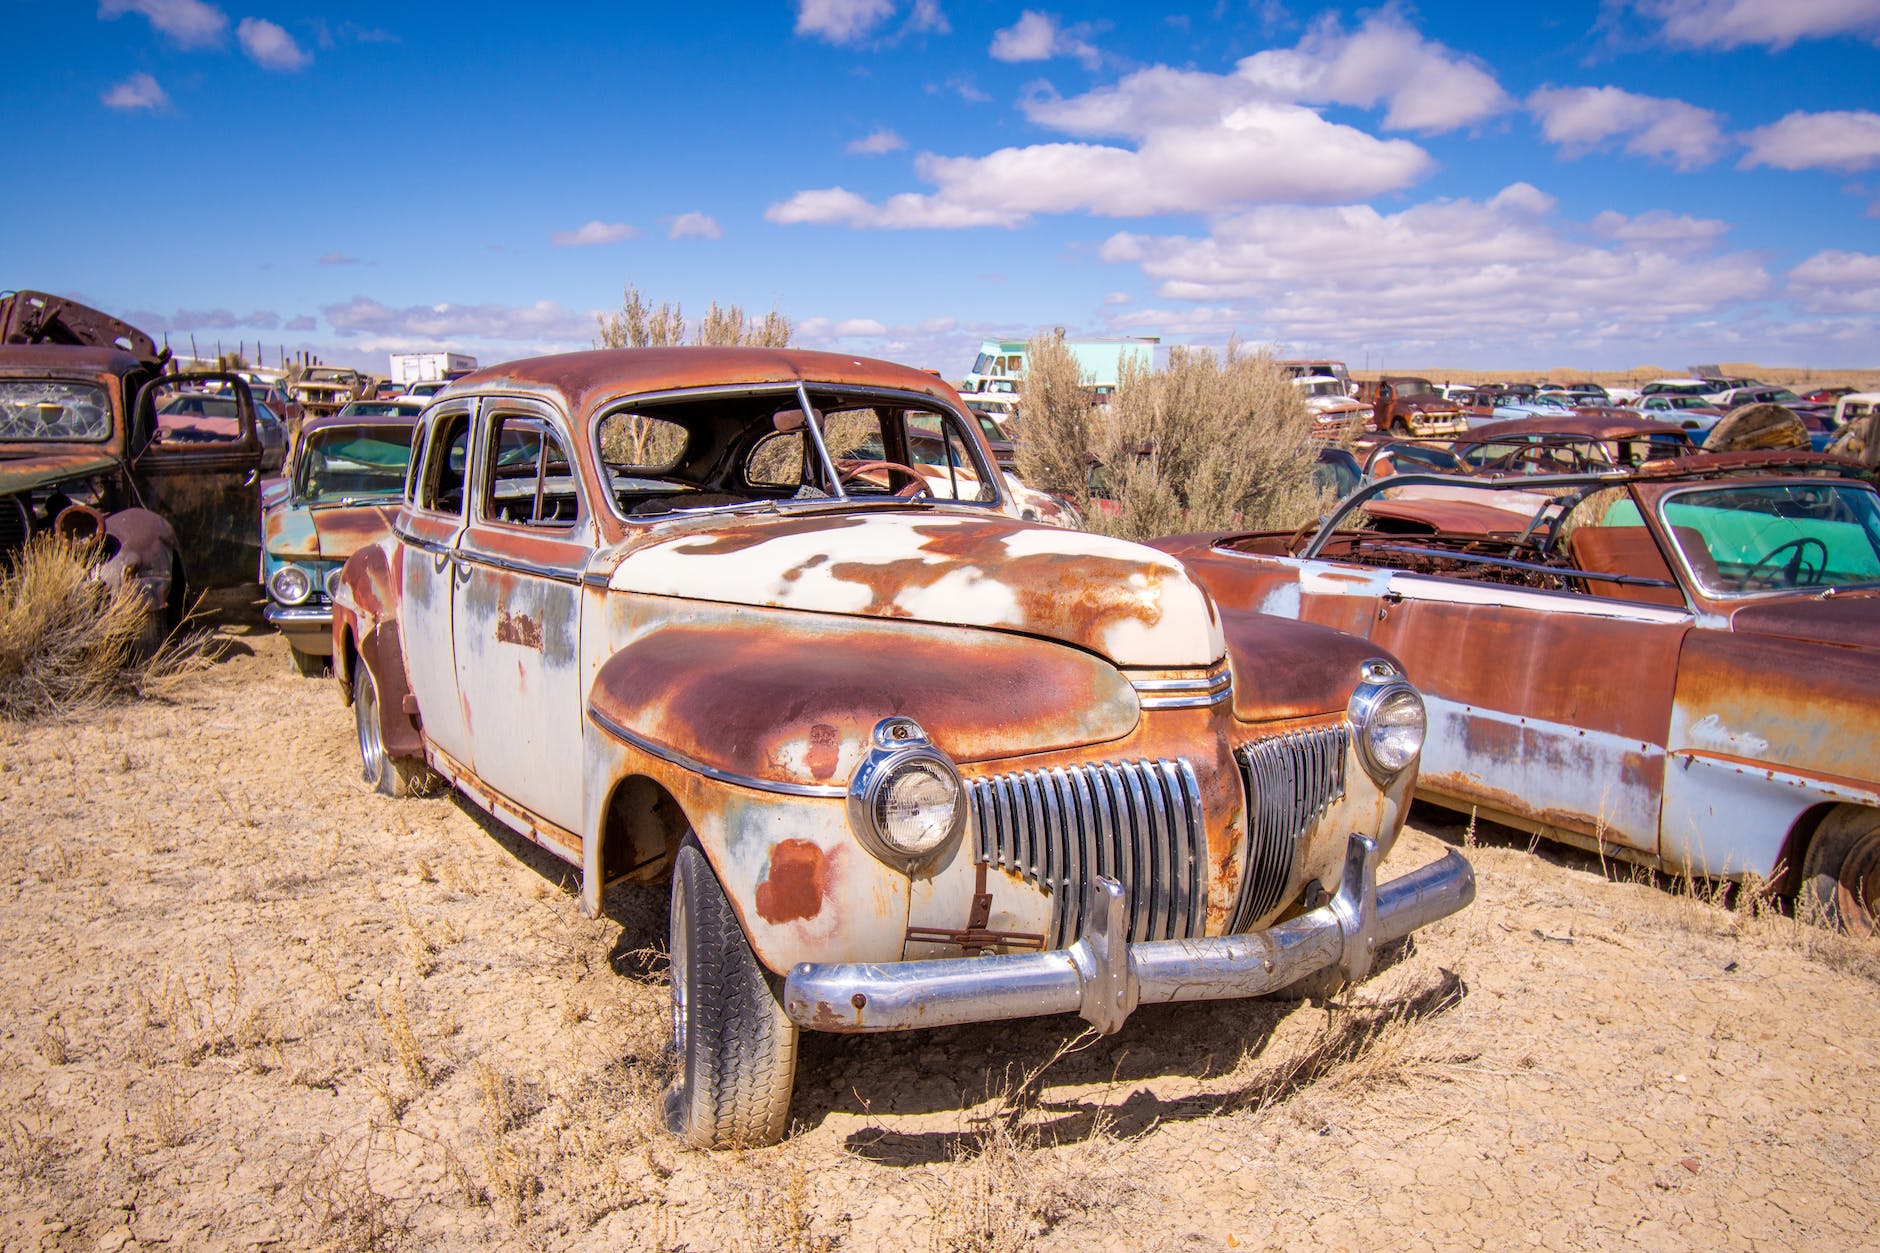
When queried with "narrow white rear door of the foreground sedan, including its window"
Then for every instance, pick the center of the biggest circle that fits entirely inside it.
(430, 530)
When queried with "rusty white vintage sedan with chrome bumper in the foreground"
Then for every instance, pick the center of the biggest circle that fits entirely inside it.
(907, 761)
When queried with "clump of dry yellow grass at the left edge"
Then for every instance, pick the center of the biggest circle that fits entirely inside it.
(67, 641)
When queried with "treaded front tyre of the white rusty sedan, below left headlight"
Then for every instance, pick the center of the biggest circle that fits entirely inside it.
(738, 1053)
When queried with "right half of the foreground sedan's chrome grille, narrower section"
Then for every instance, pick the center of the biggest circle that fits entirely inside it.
(1291, 782)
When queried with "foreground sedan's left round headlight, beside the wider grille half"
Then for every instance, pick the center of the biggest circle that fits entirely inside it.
(905, 801)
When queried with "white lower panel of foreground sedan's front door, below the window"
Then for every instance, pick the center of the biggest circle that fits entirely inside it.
(518, 629)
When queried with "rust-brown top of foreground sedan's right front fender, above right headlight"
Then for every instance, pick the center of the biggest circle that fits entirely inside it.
(1287, 669)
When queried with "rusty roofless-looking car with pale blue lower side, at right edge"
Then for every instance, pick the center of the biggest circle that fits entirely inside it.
(1676, 665)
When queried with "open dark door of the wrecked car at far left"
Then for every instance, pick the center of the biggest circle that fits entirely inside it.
(202, 473)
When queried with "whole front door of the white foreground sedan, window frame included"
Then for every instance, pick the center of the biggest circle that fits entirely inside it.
(518, 609)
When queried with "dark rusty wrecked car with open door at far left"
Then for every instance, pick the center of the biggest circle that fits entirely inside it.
(86, 452)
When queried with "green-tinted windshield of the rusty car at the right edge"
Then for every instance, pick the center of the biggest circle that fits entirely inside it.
(1778, 537)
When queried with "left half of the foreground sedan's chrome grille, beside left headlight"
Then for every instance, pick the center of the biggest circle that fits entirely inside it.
(1140, 823)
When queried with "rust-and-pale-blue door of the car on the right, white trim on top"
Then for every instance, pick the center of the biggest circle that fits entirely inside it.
(1554, 706)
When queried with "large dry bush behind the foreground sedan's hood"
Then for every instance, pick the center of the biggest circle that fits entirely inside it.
(1214, 443)
